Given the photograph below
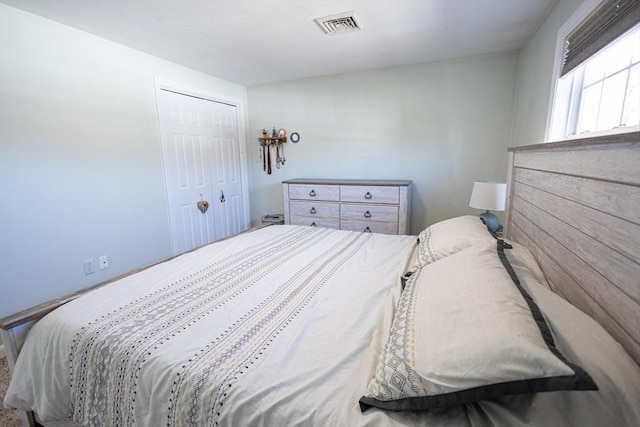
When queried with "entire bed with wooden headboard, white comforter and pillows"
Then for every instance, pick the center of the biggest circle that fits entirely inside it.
(290, 325)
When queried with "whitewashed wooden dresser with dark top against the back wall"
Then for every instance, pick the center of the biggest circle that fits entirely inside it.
(374, 206)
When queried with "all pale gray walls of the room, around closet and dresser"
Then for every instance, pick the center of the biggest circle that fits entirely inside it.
(81, 167)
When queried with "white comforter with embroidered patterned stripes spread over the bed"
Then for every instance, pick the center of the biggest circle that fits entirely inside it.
(281, 326)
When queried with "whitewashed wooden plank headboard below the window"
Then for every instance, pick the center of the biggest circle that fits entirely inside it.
(576, 206)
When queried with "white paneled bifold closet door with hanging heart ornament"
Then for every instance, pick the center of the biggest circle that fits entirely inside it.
(201, 151)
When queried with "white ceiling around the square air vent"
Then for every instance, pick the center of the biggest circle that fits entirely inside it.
(254, 42)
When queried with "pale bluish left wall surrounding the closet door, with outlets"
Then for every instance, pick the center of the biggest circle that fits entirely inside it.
(81, 170)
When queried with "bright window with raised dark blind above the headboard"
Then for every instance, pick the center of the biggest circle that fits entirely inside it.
(599, 90)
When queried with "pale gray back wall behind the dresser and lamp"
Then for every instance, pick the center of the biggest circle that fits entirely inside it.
(441, 125)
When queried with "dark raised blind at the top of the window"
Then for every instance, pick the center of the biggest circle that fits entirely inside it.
(610, 20)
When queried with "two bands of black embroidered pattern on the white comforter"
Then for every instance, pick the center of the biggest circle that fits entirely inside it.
(109, 353)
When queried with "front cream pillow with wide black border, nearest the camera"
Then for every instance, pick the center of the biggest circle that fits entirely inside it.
(465, 330)
